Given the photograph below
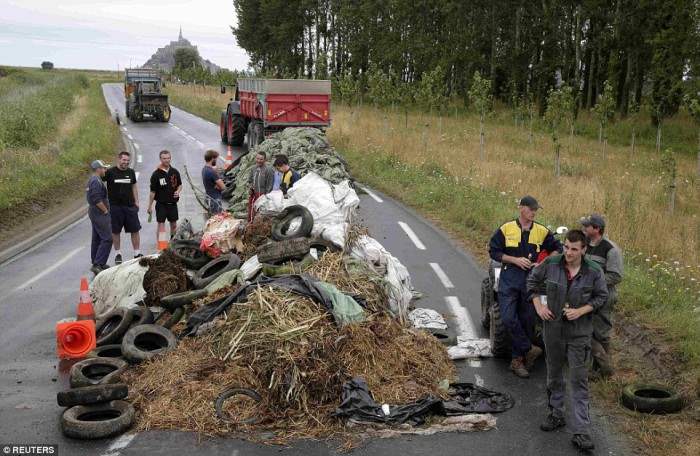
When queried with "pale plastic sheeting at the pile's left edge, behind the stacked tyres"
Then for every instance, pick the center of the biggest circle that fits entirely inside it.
(119, 286)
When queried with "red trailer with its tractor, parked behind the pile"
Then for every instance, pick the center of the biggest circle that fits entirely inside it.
(263, 106)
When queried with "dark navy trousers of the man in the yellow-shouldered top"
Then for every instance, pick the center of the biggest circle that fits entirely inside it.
(517, 313)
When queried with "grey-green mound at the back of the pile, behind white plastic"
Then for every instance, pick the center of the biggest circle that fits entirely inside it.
(308, 150)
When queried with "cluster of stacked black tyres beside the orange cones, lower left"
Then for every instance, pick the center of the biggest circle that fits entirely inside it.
(95, 401)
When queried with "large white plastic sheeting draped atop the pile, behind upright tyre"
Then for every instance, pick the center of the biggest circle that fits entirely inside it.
(332, 205)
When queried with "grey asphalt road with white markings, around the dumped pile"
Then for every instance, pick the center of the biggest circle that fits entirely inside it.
(41, 287)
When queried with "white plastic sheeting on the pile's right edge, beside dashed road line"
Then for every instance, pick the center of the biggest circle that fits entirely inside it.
(384, 263)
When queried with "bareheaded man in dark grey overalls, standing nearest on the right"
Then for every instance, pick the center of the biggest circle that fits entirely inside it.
(575, 288)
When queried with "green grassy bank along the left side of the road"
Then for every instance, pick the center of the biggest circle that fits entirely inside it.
(51, 127)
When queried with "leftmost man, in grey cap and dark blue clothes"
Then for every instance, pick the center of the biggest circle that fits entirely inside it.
(98, 212)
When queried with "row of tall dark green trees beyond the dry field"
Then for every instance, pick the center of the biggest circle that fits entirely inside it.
(644, 50)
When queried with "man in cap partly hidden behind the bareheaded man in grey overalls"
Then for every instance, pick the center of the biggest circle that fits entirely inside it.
(609, 256)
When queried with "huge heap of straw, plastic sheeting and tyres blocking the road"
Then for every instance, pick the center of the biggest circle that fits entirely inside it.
(297, 328)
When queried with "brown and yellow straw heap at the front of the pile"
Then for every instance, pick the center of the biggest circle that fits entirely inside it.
(288, 349)
